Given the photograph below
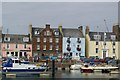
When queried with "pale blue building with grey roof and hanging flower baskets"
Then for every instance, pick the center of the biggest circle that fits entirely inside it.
(73, 43)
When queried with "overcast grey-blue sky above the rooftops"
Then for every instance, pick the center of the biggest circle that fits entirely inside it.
(16, 16)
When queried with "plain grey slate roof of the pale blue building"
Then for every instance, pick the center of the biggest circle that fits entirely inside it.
(70, 32)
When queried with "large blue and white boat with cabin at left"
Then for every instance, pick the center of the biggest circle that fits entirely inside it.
(15, 65)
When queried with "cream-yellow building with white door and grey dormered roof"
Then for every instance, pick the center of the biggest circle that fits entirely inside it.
(101, 44)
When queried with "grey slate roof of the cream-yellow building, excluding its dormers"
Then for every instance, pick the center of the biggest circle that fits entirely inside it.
(108, 35)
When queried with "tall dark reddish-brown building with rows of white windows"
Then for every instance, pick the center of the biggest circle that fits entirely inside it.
(46, 42)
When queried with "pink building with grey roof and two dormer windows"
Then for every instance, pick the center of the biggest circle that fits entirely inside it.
(16, 45)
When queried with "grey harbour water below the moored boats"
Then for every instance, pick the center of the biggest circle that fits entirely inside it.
(71, 75)
